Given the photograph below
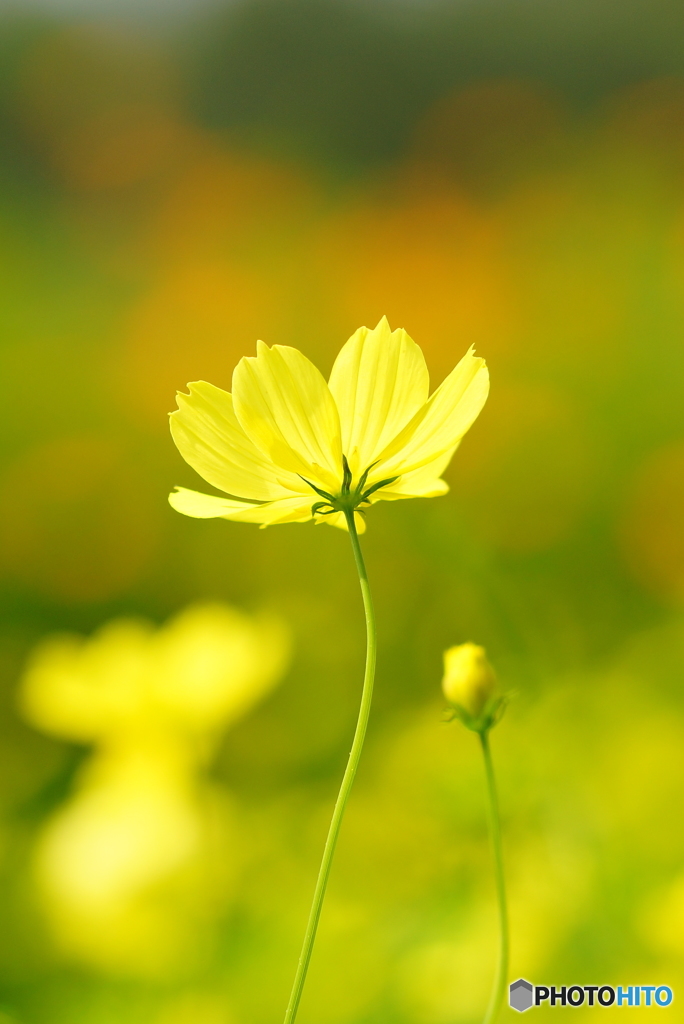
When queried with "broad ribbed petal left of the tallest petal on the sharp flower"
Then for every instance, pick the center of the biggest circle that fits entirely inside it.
(285, 407)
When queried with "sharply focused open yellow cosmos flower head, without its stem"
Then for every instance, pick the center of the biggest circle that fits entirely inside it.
(287, 447)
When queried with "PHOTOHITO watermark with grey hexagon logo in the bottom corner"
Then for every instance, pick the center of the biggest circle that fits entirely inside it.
(524, 996)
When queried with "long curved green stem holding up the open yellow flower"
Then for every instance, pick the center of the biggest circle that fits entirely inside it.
(348, 780)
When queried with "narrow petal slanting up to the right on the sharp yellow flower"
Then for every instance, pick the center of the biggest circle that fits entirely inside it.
(442, 423)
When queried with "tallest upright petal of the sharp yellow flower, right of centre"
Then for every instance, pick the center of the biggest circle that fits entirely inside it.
(379, 382)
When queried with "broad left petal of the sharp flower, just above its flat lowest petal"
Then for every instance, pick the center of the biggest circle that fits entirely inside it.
(208, 436)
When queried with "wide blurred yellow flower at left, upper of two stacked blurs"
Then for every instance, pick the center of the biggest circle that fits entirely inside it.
(197, 674)
